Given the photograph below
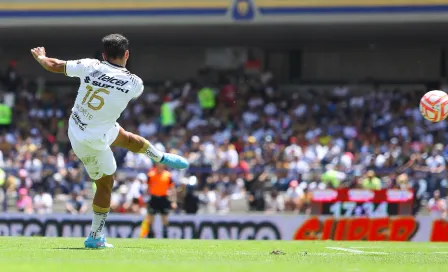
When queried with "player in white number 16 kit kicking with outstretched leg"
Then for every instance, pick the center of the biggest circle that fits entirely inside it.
(105, 90)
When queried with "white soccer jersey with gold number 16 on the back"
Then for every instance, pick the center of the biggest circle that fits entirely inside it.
(104, 93)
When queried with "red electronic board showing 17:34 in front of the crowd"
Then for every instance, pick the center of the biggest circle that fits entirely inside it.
(360, 202)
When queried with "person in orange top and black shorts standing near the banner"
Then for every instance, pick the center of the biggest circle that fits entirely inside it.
(160, 188)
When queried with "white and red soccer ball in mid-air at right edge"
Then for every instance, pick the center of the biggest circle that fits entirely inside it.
(434, 106)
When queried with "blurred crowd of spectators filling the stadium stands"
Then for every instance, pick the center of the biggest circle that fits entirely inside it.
(256, 144)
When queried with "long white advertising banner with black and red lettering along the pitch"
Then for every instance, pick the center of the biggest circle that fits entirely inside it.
(236, 227)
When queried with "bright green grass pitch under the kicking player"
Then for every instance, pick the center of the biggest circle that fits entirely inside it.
(34, 254)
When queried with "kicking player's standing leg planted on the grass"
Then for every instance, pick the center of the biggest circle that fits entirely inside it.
(101, 207)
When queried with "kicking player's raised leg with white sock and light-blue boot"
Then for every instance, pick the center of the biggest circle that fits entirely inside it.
(138, 144)
